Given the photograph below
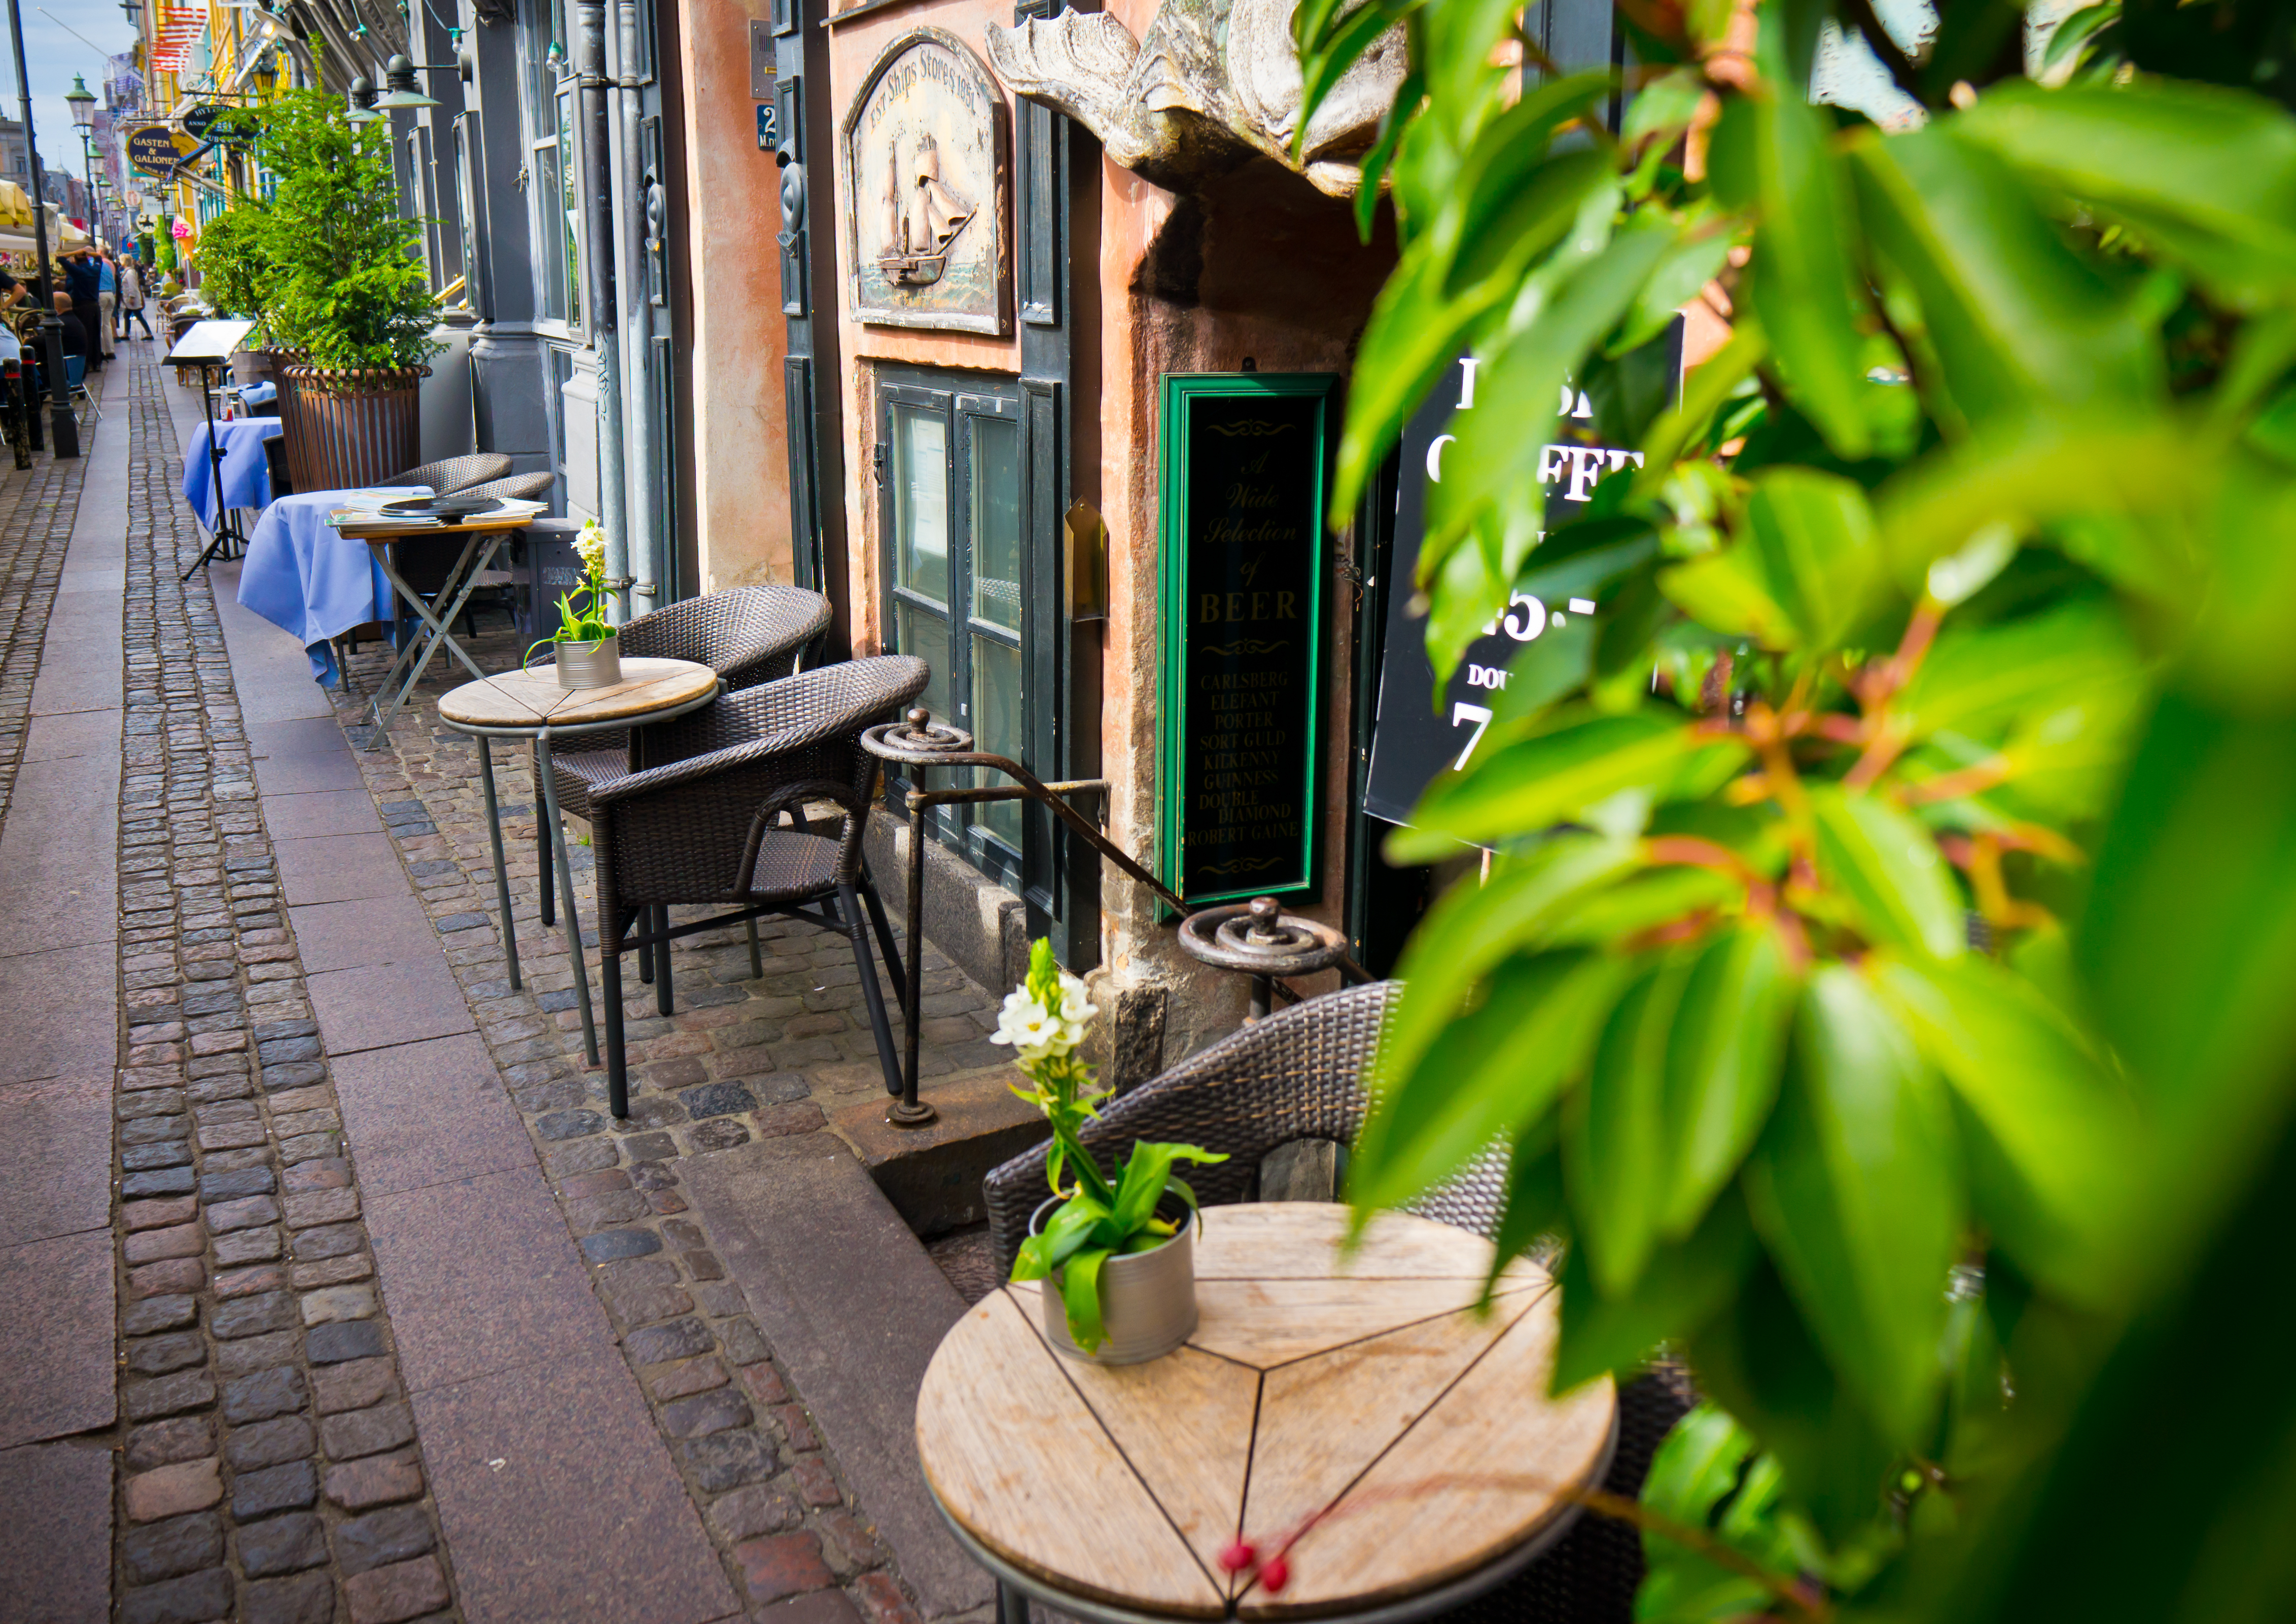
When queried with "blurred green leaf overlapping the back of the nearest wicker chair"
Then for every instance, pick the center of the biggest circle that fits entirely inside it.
(1489, 1076)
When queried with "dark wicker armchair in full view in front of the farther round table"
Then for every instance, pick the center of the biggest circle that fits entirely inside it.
(706, 828)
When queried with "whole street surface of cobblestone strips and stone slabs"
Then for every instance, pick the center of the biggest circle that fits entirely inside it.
(329, 1290)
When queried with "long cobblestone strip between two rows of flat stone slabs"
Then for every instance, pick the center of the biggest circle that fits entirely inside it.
(270, 1464)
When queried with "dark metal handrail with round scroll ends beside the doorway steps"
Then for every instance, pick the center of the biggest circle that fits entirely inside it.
(1250, 936)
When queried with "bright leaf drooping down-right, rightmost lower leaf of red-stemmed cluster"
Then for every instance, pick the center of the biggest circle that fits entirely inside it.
(2051, 1136)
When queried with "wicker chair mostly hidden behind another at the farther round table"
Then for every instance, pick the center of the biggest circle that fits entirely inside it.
(747, 635)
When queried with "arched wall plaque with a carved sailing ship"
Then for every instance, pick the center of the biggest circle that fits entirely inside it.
(926, 190)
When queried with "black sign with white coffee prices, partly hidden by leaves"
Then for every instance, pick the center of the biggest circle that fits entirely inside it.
(1413, 741)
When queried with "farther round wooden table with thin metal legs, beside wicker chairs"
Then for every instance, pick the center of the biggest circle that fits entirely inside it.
(534, 706)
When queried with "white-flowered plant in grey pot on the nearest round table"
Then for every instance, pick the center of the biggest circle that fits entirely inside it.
(1117, 1251)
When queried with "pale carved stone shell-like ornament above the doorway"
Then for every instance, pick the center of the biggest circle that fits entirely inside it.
(1211, 86)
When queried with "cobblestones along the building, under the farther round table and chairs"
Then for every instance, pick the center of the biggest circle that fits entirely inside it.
(740, 1060)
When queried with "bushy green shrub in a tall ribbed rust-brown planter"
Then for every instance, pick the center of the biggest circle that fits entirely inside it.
(348, 293)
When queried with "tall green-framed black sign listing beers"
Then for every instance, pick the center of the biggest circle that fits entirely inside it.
(1243, 555)
